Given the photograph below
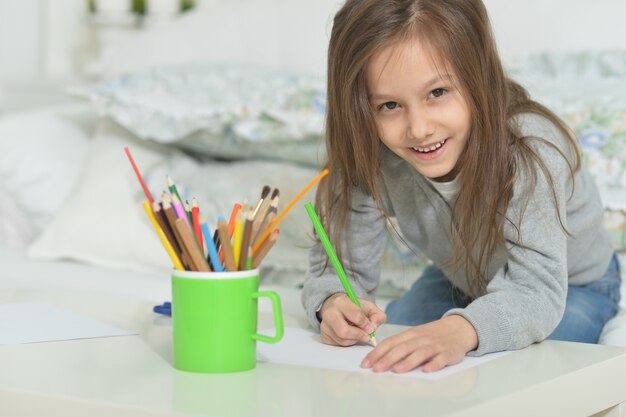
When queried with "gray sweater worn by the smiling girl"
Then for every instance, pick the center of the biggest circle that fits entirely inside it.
(527, 279)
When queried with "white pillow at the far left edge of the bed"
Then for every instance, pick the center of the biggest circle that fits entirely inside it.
(41, 154)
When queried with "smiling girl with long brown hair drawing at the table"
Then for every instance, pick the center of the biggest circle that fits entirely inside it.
(423, 125)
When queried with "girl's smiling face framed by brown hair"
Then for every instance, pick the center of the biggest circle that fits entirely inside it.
(420, 113)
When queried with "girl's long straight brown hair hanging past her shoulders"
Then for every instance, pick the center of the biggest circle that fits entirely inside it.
(460, 34)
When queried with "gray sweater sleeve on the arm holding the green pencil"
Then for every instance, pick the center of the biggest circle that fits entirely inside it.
(366, 238)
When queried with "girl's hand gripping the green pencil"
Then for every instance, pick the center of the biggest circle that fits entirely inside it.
(343, 322)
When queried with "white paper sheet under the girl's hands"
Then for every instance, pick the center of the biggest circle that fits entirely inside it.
(303, 347)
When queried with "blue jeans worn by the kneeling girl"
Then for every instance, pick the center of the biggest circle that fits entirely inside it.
(587, 309)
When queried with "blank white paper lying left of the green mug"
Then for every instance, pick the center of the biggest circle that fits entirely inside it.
(33, 323)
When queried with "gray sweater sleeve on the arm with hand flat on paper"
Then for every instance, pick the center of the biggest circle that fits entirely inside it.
(525, 300)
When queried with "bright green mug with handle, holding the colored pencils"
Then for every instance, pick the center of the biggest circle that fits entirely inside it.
(215, 320)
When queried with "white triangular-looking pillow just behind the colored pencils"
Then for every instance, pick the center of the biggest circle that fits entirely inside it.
(102, 222)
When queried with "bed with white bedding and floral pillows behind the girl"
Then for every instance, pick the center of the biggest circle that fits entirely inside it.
(223, 119)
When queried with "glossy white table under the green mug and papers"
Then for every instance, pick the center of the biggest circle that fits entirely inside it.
(133, 376)
